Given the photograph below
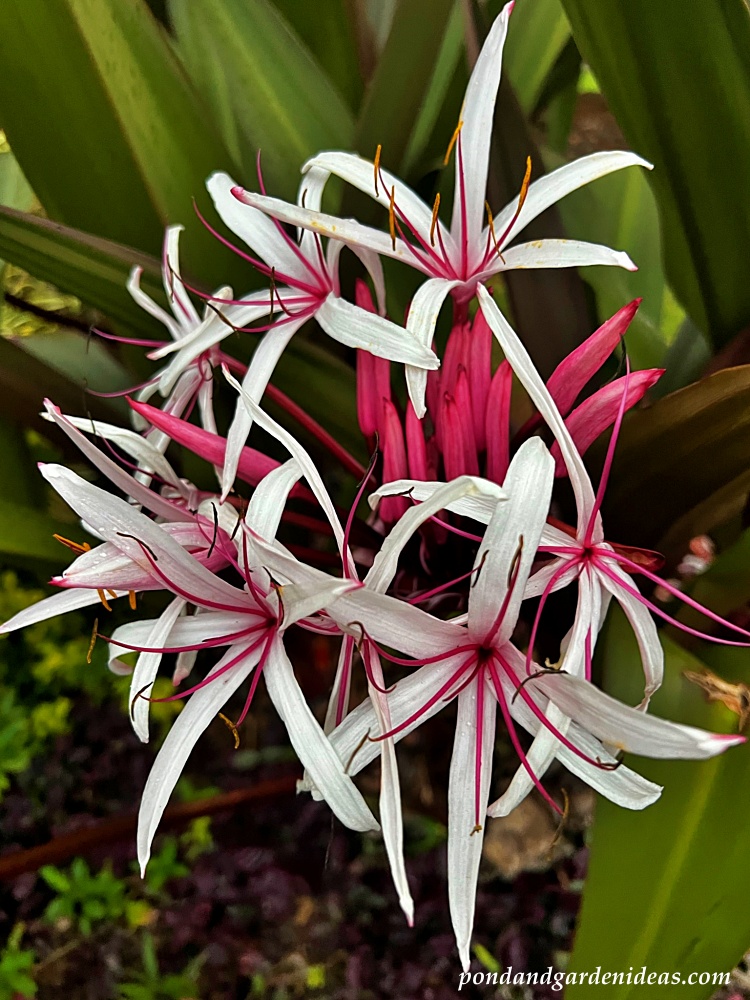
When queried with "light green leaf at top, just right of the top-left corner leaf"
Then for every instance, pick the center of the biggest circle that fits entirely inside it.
(264, 87)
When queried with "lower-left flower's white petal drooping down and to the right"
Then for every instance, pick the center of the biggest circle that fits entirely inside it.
(312, 746)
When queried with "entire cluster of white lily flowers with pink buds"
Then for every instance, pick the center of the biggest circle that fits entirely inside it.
(440, 591)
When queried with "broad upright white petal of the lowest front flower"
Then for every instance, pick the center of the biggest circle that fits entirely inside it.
(510, 543)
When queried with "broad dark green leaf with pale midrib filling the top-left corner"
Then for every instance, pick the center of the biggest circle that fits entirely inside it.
(104, 123)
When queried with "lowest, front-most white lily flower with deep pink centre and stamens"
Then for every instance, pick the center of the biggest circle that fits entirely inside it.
(479, 666)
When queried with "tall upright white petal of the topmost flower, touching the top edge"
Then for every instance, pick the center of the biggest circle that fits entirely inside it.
(475, 138)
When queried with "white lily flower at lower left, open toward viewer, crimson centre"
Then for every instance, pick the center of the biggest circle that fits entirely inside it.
(249, 621)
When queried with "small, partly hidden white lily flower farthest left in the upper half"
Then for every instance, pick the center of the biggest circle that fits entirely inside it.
(189, 375)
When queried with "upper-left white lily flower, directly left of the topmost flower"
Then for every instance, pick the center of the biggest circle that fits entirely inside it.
(305, 286)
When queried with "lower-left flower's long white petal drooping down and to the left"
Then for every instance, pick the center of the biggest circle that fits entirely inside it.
(201, 709)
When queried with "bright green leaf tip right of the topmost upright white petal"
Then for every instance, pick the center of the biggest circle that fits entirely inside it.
(537, 35)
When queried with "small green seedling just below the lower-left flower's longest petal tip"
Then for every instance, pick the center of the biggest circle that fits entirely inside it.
(84, 898)
